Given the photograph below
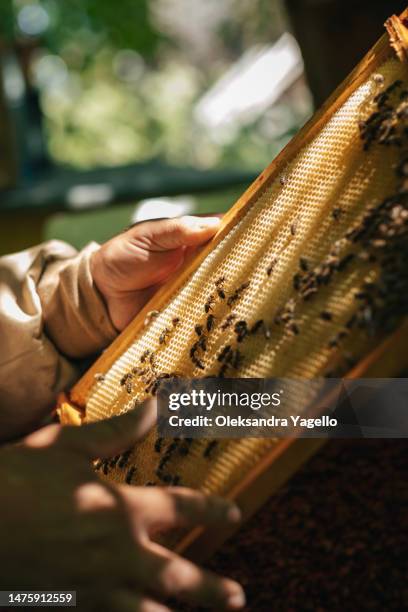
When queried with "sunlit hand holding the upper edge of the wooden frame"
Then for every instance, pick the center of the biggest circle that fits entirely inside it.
(129, 268)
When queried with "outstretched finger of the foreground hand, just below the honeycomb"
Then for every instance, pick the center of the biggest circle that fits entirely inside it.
(163, 508)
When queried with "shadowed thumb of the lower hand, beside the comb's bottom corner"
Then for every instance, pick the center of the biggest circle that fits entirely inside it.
(112, 436)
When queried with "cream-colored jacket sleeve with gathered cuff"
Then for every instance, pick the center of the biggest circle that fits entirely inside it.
(51, 317)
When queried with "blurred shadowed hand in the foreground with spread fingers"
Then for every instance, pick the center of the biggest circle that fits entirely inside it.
(62, 528)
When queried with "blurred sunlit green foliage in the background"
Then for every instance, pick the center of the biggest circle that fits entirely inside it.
(115, 89)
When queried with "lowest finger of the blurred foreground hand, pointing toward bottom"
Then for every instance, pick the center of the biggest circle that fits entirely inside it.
(168, 575)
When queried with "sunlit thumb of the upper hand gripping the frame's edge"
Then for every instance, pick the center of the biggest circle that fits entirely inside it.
(169, 234)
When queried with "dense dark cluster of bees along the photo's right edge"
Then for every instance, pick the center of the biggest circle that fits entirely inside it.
(382, 236)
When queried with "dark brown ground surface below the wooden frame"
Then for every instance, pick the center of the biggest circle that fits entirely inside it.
(335, 538)
